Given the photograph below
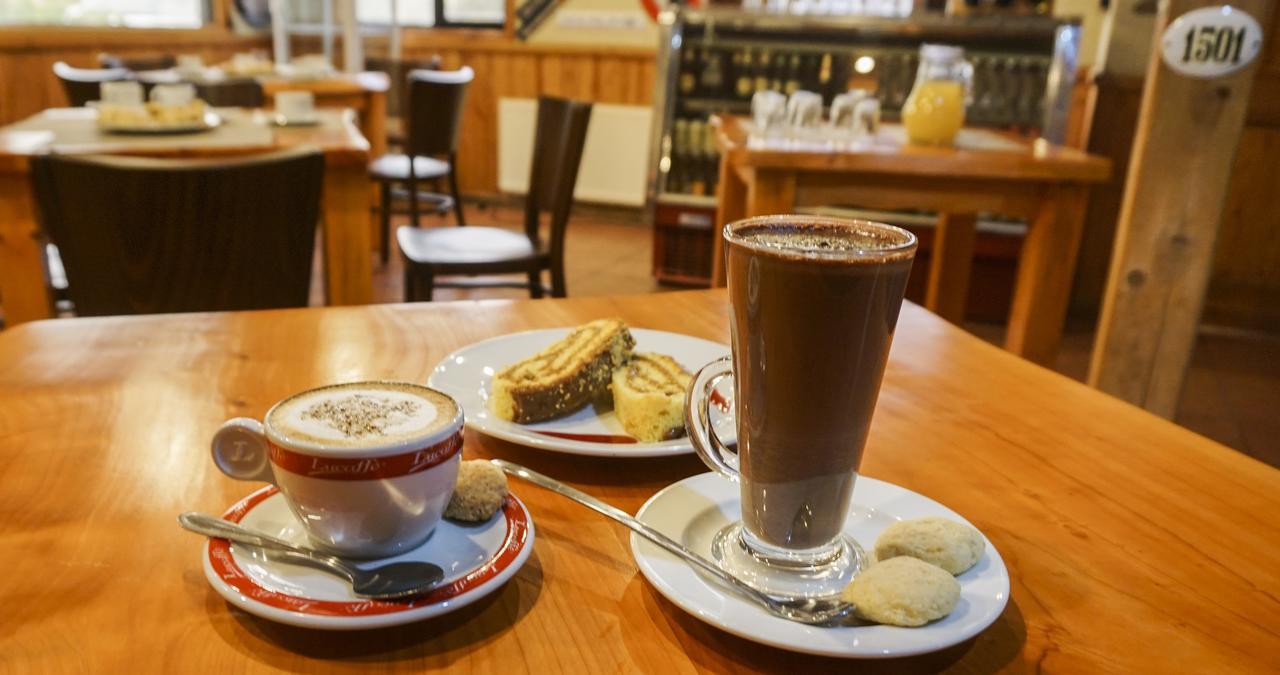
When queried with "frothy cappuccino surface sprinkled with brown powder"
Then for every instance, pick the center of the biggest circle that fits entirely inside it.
(367, 414)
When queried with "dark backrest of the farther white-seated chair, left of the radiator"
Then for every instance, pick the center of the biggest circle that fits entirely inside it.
(436, 101)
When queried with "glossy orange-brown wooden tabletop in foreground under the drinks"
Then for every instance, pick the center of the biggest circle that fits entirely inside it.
(1133, 545)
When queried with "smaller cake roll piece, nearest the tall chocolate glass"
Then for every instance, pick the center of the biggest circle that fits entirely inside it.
(650, 398)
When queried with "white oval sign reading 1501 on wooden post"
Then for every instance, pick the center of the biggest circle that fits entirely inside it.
(1212, 42)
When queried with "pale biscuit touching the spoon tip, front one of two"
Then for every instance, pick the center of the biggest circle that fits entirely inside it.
(903, 592)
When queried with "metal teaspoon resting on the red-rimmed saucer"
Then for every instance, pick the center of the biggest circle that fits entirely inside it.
(387, 582)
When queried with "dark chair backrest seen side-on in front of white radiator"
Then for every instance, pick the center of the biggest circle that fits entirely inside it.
(559, 142)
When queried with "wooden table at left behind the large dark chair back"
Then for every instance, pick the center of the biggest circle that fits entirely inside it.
(349, 273)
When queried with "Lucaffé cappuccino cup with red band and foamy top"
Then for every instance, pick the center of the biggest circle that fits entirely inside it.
(368, 468)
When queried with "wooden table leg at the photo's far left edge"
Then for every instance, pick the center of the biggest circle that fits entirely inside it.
(22, 264)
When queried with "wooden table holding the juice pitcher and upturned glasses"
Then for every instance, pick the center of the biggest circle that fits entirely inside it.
(986, 172)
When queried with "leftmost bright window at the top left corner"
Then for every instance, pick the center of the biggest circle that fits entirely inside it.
(126, 13)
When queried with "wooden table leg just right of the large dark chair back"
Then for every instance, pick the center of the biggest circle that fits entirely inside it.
(348, 248)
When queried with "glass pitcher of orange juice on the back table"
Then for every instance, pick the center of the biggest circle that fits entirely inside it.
(934, 112)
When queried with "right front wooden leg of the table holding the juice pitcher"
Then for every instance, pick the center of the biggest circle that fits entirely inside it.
(1045, 273)
